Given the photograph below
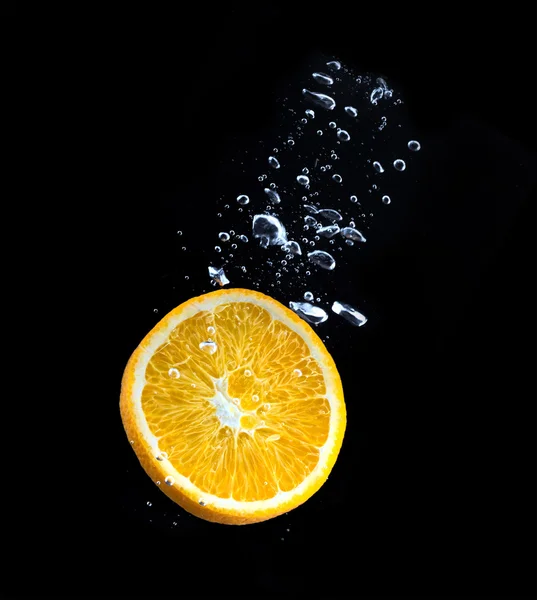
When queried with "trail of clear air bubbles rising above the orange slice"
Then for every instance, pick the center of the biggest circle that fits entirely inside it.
(310, 237)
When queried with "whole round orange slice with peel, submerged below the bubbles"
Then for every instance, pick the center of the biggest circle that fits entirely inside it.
(234, 407)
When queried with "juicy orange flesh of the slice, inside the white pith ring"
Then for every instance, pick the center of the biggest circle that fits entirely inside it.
(243, 421)
